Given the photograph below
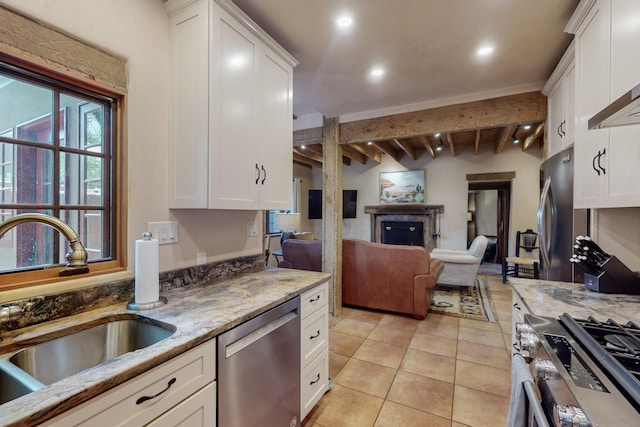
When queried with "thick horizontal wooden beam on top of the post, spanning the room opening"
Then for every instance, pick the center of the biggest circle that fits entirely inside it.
(506, 110)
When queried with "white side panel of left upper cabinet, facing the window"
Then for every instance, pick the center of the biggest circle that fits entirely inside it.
(188, 118)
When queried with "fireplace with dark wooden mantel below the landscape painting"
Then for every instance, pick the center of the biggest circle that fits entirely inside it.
(426, 215)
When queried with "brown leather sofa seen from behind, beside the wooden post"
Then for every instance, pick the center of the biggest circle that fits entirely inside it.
(393, 278)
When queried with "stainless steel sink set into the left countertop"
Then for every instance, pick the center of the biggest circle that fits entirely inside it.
(54, 359)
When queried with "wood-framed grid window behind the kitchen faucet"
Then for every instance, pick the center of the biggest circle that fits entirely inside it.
(58, 145)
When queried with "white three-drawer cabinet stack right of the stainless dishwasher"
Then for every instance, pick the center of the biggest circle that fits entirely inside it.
(314, 347)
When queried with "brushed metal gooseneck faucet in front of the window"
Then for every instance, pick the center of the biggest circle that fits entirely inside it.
(76, 258)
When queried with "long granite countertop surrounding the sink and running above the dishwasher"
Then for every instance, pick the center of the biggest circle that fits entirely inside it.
(199, 314)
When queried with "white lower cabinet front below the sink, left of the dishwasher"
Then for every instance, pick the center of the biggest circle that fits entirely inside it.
(180, 391)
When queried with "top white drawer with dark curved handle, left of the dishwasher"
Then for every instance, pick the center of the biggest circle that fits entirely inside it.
(180, 377)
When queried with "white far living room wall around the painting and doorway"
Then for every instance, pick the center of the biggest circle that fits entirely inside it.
(447, 185)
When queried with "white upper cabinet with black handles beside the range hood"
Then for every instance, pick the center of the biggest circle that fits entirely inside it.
(607, 160)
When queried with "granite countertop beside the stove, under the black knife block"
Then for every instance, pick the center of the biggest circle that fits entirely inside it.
(551, 299)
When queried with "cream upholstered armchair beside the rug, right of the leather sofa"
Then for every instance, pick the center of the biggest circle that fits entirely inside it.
(461, 266)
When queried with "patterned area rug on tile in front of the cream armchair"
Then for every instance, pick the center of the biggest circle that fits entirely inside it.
(470, 302)
